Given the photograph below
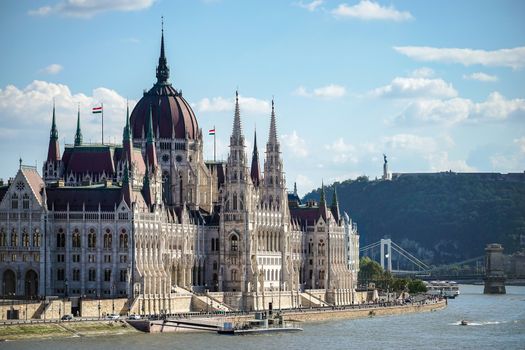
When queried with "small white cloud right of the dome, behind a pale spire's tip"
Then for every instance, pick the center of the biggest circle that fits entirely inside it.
(249, 105)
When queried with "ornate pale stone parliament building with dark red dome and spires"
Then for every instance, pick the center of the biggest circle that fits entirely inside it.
(150, 220)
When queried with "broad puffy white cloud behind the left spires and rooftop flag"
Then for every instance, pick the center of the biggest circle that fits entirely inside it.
(27, 109)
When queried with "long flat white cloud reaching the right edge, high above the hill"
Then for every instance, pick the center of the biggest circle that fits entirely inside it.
(513, 58)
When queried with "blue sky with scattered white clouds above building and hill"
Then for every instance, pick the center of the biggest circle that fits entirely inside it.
(436, 85)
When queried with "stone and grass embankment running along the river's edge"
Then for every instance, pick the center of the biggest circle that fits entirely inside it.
(206, 321)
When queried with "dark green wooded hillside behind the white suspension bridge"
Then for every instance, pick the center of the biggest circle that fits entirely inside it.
(444, 217)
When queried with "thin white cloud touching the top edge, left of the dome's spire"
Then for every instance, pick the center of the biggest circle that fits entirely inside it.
(90, 8)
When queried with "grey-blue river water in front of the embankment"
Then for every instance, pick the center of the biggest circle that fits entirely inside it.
(495, 322)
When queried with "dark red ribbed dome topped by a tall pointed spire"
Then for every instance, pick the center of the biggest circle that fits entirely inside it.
(172, 115)
